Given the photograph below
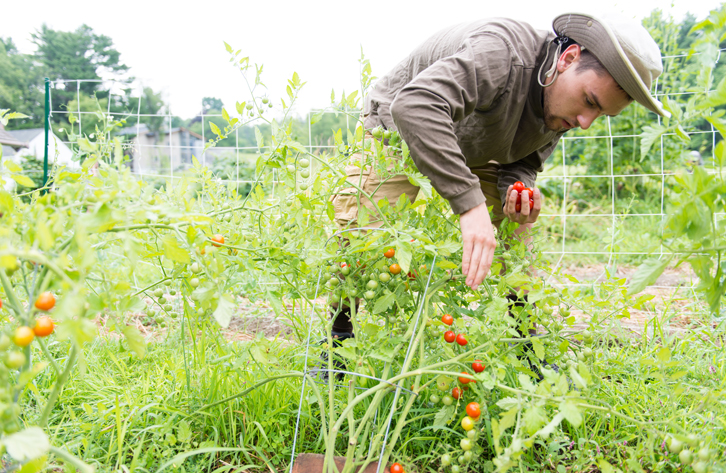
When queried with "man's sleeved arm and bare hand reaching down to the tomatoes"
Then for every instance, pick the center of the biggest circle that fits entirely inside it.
(425, 111)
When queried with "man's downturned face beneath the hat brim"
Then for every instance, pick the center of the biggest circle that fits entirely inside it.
(577, 98)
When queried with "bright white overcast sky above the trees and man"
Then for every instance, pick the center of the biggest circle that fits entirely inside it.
(177, 47)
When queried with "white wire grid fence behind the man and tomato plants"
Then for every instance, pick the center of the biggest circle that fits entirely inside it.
(630, 191)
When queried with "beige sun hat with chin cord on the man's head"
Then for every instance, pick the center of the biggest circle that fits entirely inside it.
(623, 46)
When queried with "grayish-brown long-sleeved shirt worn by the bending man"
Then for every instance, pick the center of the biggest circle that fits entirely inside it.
(467, 96)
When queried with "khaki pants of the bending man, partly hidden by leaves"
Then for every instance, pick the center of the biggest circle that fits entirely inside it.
(345, 203)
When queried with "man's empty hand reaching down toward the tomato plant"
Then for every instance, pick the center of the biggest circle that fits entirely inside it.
(479, 244)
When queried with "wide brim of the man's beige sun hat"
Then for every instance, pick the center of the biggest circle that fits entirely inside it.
(599, 38)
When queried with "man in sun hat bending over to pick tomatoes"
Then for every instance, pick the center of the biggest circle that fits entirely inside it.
(483, 105)
